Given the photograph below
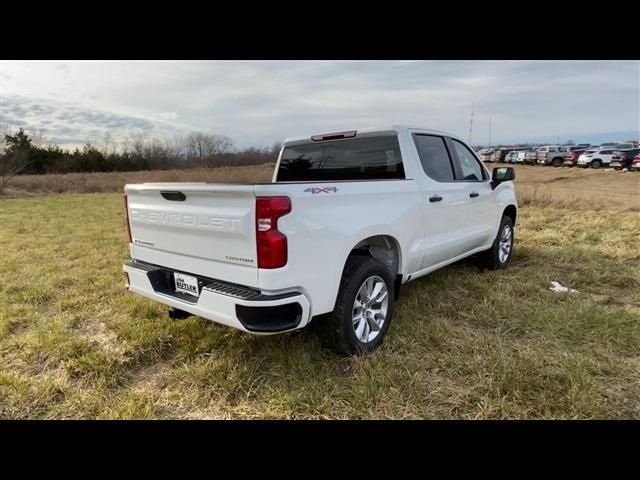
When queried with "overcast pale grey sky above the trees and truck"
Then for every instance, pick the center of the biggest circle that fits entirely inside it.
(259, 102)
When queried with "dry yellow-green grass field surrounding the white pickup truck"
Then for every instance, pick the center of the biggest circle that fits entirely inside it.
(74, 344)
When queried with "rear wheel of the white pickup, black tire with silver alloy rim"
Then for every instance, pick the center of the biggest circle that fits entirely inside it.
(363, 308)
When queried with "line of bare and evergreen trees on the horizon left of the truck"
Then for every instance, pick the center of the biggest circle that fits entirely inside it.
(21, 153)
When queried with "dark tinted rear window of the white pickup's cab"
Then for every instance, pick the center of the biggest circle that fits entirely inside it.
(352, 159)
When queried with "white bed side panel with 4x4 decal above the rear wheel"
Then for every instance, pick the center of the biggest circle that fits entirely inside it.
(323, 228)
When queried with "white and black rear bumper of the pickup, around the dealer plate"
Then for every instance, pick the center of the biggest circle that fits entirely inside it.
(236, 306)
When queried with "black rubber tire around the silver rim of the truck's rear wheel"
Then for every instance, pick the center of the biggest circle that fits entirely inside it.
(336, 330)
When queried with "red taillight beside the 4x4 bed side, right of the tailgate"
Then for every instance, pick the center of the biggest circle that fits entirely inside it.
(271, 244)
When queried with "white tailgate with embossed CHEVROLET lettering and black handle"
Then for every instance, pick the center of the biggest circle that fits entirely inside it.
(200, 228)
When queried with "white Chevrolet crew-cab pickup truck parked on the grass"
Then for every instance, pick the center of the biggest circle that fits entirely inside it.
(348, 218)
